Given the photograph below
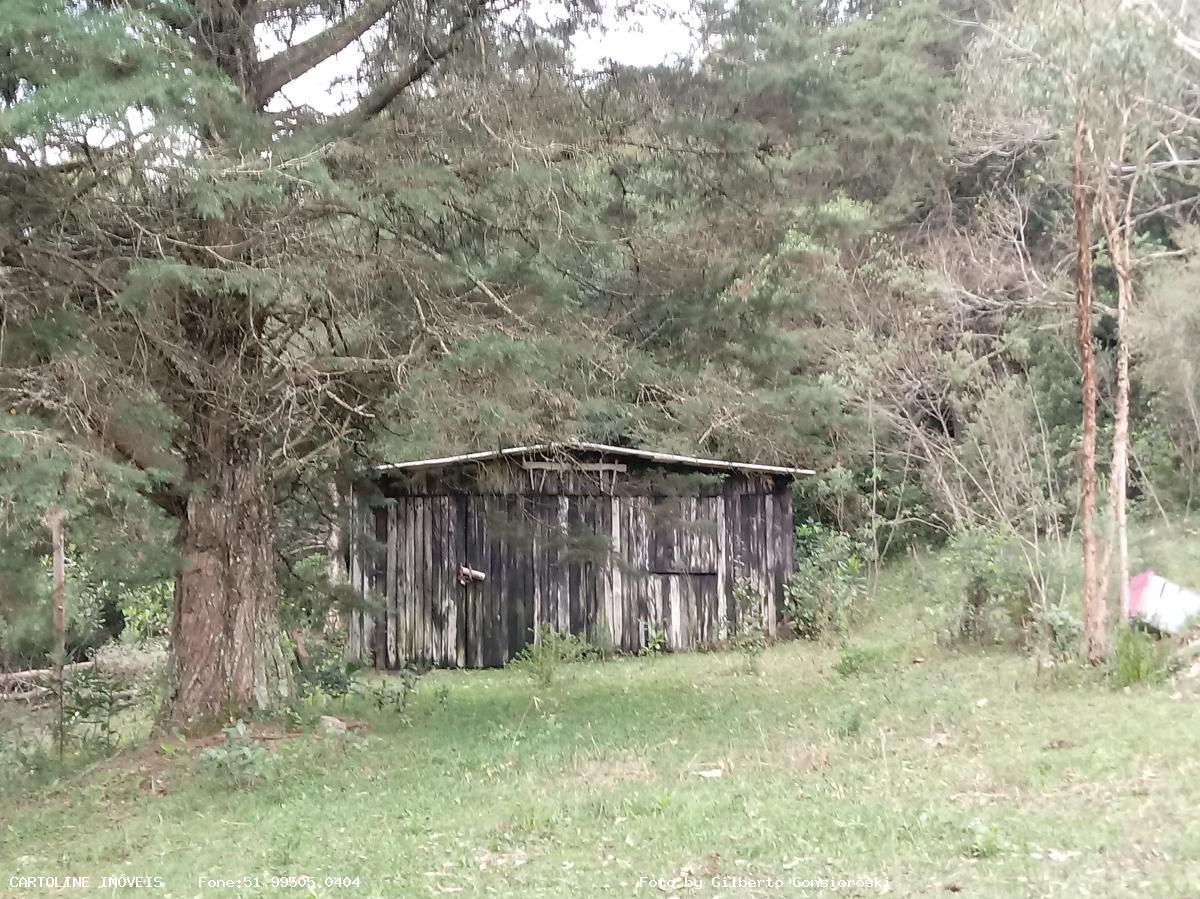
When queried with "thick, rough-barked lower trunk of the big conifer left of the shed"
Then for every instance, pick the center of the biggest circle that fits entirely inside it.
(227, 656)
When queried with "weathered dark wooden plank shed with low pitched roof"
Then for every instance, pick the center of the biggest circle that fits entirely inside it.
(464, 559)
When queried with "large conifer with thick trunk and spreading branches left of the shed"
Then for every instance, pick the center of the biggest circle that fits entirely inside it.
(172, 245)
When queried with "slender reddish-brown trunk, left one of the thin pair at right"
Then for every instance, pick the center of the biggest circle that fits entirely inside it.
(1094, 603)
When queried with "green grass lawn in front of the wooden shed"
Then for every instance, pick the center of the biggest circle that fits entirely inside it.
(965, 772)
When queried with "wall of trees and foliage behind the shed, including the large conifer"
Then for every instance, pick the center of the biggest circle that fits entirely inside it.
(842, 236)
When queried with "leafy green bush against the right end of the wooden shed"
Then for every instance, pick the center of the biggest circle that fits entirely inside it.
(830, 582)
